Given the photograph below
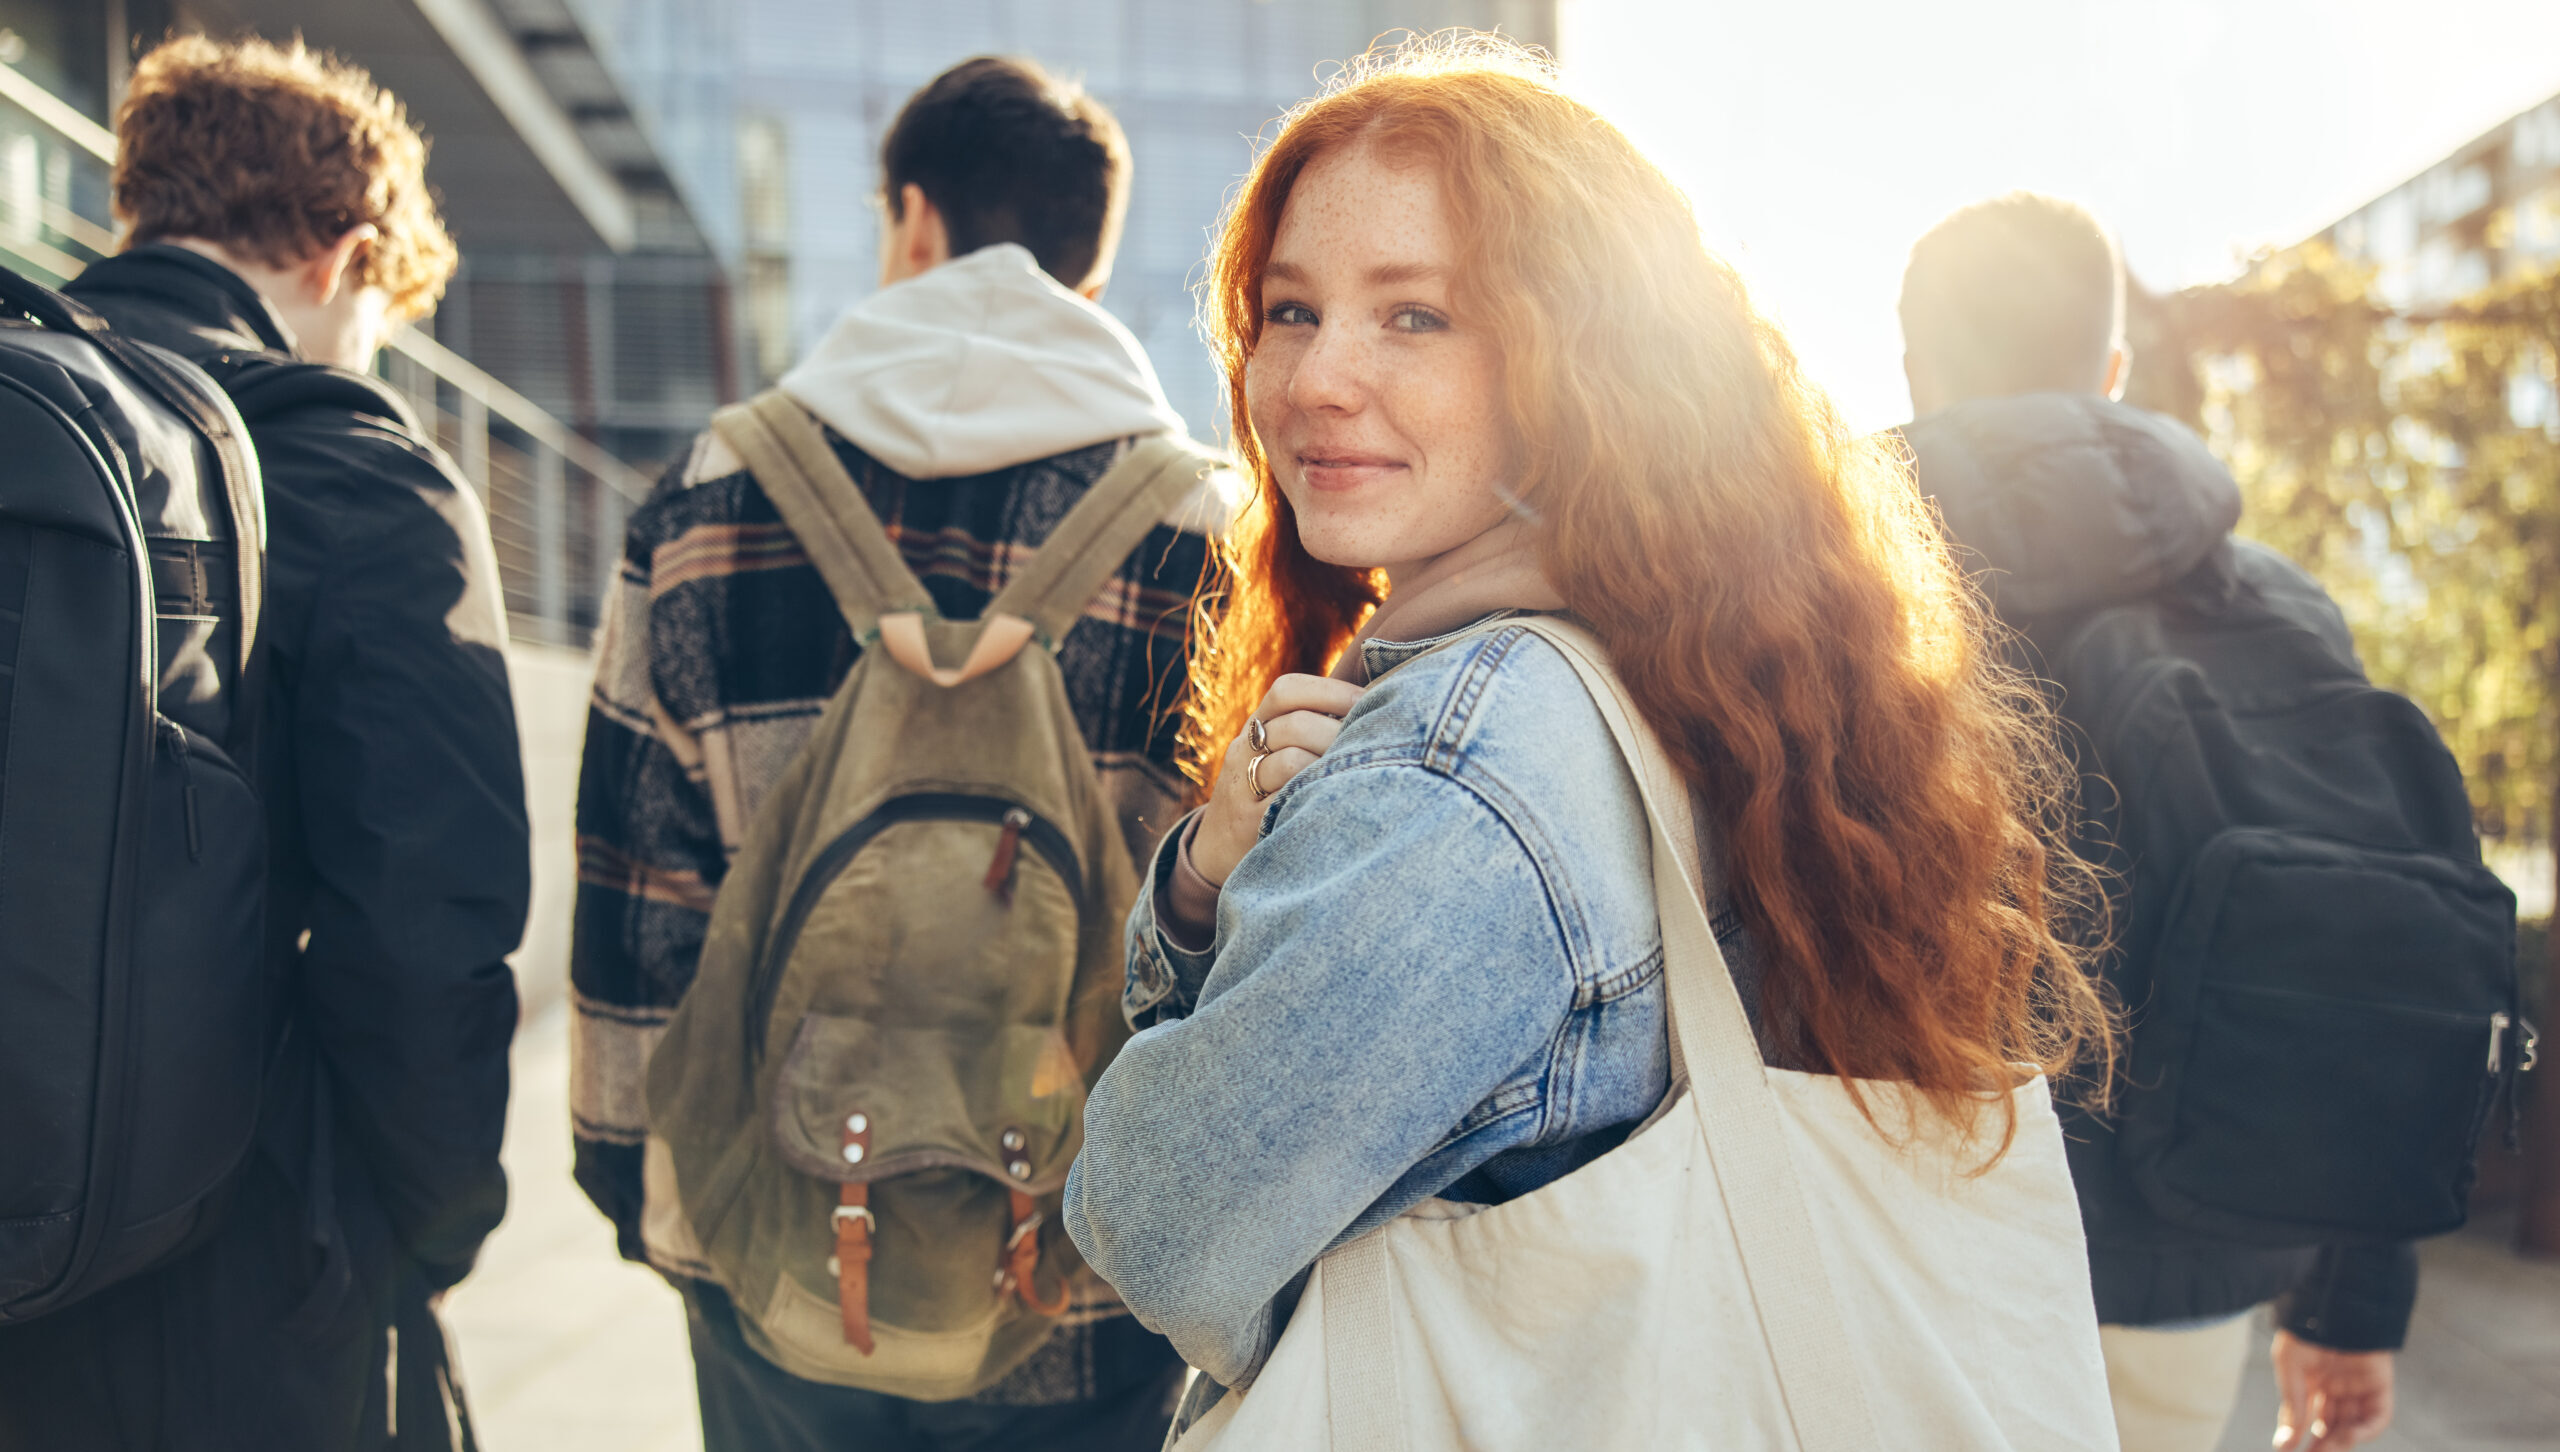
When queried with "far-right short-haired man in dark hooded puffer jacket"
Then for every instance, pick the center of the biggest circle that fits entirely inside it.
(2067, 501)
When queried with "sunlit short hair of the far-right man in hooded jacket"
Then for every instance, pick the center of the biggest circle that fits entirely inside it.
(2016, 296)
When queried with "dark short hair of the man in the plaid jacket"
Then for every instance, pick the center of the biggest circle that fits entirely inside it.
(1012, 155)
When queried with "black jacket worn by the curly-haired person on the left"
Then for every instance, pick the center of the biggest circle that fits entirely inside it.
(401, 882)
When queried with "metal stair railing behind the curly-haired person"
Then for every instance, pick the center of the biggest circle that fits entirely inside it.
(557, 501)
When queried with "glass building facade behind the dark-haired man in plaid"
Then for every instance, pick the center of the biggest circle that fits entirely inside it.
(769, 117)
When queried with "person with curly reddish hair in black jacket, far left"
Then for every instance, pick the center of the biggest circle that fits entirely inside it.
(278, 224)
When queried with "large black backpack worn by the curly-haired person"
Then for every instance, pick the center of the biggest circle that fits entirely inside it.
(137, 1003)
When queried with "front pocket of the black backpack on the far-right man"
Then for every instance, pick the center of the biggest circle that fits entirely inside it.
(2323, 1041)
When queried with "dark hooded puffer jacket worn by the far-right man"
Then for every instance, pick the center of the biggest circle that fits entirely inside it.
(2070, 503)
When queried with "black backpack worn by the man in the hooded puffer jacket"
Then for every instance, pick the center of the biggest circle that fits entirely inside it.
(2318, 969)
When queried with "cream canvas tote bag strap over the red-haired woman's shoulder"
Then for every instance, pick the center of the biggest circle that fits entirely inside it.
(1740, 1118)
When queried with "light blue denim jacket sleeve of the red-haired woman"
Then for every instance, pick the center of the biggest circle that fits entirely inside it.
(1325, 1046)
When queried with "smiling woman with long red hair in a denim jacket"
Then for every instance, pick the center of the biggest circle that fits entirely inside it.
(1481, 367)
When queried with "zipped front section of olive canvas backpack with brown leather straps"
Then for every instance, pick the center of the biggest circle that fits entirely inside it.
(918, 1097)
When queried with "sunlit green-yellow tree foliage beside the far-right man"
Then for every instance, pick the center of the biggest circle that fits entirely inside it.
(2410, 462)
